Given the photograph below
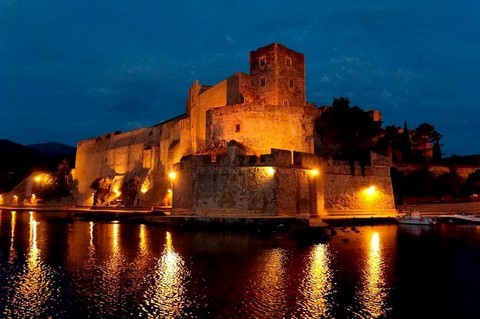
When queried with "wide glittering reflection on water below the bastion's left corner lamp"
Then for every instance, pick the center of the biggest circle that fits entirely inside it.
(166, 298)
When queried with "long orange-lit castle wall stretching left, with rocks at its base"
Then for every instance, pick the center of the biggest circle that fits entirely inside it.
(148, 153)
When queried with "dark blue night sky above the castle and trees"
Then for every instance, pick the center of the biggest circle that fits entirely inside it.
(72, 70)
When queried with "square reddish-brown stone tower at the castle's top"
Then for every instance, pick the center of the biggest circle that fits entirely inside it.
(278, 75)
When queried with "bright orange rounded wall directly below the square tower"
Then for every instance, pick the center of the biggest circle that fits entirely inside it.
(263, 127)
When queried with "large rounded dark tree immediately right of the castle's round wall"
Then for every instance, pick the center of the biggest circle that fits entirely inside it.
(347, 132)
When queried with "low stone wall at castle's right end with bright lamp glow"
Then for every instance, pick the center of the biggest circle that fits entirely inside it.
(368, 190)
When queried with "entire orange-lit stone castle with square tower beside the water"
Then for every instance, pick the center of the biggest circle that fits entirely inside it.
(244, 146)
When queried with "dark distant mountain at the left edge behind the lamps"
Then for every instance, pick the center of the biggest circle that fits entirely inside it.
(18, 161)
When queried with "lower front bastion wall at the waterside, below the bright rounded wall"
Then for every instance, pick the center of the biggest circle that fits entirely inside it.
(235, 186)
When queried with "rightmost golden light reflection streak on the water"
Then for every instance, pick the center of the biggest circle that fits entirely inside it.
(373, 294)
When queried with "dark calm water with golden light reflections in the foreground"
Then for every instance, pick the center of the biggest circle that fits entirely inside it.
(56, 269)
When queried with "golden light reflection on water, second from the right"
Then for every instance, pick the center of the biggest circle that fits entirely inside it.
(317, 285)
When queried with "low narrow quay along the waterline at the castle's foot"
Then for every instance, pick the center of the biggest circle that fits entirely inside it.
(161, 215)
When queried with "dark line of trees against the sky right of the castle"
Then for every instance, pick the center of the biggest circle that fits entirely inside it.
(350, 133)
